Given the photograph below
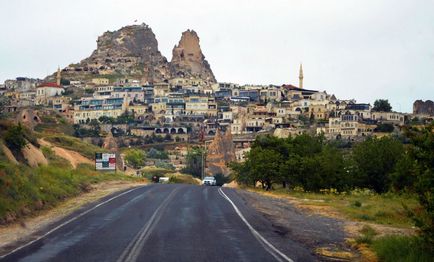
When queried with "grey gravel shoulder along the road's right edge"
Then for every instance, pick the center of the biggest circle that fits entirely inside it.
(325, 236)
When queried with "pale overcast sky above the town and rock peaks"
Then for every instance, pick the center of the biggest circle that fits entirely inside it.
(365, 49)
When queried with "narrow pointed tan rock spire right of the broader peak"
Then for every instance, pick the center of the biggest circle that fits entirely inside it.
(188, 59)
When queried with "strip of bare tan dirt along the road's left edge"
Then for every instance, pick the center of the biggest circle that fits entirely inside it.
(25, 229)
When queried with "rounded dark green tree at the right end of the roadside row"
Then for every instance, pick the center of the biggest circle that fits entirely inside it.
(375, 160)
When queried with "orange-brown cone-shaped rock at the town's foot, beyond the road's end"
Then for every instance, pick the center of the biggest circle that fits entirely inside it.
(220, 152)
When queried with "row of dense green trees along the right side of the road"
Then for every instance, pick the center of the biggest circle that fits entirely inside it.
(386, 164)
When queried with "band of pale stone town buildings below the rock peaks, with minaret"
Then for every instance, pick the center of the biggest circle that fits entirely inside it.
(191, 110)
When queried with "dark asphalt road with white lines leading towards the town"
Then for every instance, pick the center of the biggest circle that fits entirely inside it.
(164, 223)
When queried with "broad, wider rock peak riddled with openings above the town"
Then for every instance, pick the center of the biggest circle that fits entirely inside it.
(131, 51)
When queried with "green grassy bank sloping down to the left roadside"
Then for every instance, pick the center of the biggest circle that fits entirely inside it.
(24, 190)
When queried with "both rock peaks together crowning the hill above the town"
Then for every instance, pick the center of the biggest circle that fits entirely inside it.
(132, 52)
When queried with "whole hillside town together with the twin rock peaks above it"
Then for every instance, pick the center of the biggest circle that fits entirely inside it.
(129, 93)
